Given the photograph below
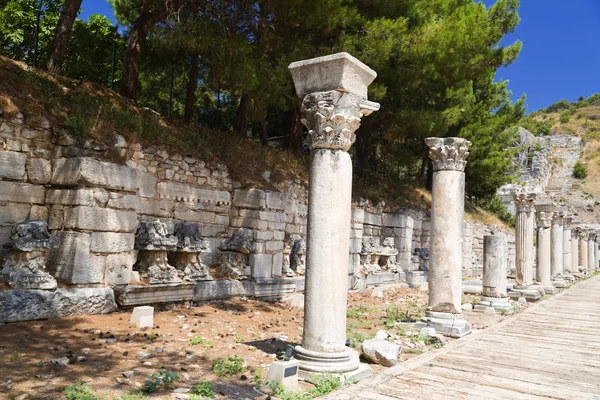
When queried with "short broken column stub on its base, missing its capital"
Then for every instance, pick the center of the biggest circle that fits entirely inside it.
(495, 265)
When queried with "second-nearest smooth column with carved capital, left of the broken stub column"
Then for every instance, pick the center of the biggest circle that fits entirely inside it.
(447, 220)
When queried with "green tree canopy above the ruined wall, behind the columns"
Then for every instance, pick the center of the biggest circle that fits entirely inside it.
(227, 60)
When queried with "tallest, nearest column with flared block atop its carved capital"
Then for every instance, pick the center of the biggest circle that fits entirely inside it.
(334, 89)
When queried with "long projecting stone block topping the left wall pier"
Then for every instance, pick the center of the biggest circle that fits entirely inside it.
(87, 171)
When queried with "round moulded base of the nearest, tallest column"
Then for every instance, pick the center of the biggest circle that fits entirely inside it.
(315, 362)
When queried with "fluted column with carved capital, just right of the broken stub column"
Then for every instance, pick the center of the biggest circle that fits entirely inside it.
(524, 287)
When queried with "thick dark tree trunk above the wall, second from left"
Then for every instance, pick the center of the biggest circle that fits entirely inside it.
(133, 55)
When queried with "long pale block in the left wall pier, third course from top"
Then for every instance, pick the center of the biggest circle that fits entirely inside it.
(100, 219)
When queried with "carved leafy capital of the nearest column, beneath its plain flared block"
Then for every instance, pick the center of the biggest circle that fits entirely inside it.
(332, 117)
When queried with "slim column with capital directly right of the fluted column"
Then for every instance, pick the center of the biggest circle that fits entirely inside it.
(544, 247)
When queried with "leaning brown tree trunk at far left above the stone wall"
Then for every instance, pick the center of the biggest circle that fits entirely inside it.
(58, 51)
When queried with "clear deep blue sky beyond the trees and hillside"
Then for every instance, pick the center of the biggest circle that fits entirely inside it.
(560, 57)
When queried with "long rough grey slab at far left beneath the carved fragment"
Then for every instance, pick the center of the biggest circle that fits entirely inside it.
(27, 305)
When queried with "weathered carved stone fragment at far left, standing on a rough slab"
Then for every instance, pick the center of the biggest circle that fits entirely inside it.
(25, 264)
